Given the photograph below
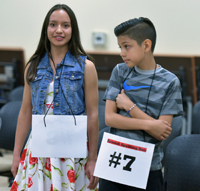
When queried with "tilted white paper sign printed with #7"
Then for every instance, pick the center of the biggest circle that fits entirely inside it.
(123, 160)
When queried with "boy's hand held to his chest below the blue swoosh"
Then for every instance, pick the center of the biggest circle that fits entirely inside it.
(123, 101)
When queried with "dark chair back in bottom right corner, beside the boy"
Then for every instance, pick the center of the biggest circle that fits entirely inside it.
(182, 164)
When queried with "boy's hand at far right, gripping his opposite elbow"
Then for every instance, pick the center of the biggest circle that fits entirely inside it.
(159, 129)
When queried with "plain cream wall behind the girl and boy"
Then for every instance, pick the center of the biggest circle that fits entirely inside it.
(177, 22)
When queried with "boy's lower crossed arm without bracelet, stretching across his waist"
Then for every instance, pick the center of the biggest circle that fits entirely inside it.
(157, 128)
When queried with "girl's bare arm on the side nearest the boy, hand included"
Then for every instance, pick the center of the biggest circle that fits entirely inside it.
(91, 100)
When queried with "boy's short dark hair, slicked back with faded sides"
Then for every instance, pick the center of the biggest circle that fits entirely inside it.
(138, 30)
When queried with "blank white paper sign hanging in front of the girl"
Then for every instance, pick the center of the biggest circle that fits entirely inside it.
(60, 138)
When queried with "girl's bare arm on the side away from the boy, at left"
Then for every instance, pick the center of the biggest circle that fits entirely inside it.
(23, 125)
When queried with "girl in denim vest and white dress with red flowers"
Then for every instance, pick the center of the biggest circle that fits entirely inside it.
(58, 61)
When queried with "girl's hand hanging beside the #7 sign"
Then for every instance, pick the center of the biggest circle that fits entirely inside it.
(89, 172)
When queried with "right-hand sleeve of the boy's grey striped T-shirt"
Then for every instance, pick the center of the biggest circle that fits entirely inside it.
(173, 100)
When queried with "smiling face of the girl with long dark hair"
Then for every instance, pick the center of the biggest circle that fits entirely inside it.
(59, 29)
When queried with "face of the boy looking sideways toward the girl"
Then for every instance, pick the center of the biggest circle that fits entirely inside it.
(132, 53)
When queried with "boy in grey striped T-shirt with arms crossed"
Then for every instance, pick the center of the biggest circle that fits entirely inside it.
(141, 98)
